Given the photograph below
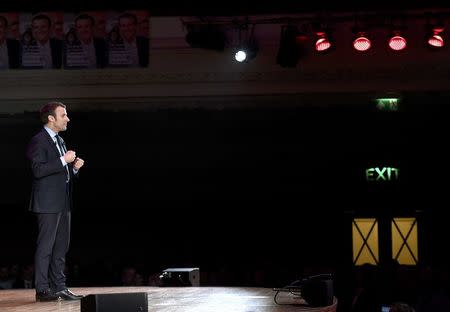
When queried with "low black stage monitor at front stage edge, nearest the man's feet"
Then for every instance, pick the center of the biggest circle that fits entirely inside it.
(120, 302)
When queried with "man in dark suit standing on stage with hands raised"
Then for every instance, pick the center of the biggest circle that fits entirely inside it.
(53, 168)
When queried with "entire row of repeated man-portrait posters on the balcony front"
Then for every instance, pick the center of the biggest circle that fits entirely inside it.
(91, 39)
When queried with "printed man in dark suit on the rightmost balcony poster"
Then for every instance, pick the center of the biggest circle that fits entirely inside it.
(136, 46)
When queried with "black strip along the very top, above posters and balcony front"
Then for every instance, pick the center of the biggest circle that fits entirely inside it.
(222, 7)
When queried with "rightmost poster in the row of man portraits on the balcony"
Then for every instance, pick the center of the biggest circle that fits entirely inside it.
(128, 41)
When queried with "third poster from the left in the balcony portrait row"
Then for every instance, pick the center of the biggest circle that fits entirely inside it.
(83, 48)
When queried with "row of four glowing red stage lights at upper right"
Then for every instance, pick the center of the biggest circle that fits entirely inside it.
(362, 43)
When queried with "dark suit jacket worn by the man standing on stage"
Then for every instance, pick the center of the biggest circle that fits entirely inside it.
(49, 187)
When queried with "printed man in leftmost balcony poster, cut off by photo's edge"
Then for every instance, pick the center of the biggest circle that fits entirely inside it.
(9, 48)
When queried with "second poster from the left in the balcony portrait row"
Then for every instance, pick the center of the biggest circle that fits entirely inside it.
(39, 43)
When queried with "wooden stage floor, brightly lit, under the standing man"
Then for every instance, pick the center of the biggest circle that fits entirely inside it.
(170, 299)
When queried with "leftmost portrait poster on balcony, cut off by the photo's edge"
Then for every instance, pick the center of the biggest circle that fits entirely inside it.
(9, 46)
